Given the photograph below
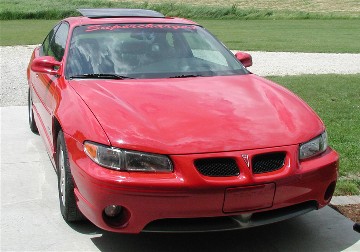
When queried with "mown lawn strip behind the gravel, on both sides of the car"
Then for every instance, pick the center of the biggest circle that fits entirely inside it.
(336, 36)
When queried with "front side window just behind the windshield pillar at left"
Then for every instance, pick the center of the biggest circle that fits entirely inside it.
(58, 42)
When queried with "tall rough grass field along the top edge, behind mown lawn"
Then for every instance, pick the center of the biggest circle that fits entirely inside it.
(202, 9)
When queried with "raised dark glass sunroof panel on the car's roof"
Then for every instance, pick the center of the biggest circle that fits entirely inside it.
(103, 13)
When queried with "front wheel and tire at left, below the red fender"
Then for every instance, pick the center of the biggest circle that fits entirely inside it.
(68, 206)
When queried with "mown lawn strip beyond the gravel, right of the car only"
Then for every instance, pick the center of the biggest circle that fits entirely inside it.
(338, 36)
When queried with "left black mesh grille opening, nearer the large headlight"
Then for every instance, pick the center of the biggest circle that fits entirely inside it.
(217, 167)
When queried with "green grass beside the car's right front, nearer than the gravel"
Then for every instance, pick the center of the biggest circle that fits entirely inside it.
(336, 99)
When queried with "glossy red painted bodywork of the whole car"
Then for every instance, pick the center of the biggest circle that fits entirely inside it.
(187, 119)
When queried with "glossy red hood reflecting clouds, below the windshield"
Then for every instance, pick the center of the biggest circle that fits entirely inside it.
(198, 115)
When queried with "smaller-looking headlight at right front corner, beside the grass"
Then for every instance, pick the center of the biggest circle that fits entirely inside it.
(313, 147)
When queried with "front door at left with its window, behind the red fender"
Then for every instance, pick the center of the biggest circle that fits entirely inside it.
(46, 85)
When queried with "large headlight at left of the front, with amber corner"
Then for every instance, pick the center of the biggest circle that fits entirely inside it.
(125, 160)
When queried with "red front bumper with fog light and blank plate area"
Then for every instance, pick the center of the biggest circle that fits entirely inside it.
(178, 201)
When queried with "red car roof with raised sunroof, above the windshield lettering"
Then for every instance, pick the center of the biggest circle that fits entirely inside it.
(125, 16)
